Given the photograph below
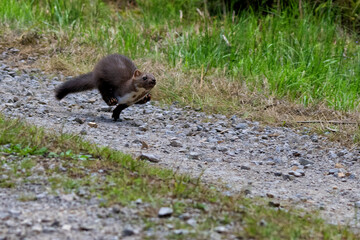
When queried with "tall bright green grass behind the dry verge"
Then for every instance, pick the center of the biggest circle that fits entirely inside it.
(308, 59)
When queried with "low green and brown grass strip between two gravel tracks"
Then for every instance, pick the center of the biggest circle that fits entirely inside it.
(116, 178)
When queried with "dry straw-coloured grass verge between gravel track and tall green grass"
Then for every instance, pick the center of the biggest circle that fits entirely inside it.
(209, 91)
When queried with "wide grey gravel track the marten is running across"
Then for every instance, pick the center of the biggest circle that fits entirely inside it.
(291, 167)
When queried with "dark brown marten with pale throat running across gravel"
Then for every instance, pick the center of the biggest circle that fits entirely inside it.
(118, 81)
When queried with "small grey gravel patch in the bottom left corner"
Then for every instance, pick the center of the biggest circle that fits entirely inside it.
(74, 218)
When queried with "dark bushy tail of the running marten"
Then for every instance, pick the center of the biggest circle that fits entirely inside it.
(77, 84)
